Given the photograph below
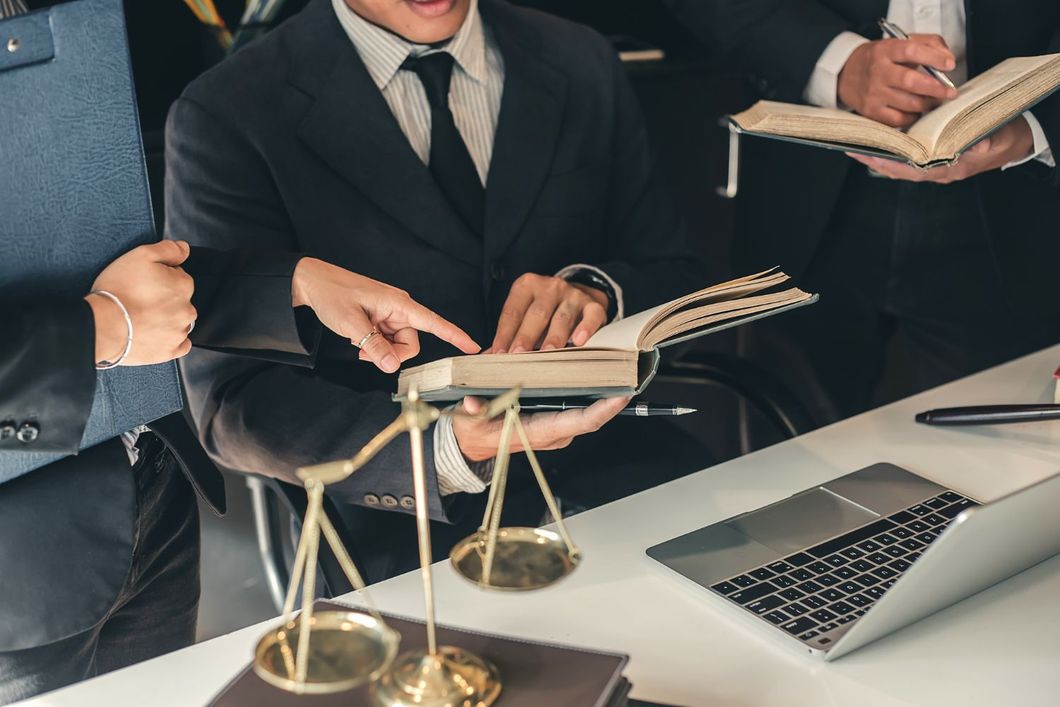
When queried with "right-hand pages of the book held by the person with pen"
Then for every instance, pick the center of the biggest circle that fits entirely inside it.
(929, 130)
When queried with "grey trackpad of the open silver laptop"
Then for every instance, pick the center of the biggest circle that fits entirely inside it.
(802, 521)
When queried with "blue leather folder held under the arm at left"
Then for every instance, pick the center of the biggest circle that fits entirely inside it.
(74, 188)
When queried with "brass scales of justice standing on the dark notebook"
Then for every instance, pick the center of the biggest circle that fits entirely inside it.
(333, 651)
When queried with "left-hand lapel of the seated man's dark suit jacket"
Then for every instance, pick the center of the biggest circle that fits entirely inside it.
(350, 127)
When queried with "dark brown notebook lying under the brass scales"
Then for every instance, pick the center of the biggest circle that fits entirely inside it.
(534, 675)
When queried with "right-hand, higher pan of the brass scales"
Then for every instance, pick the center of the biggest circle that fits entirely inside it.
(525, 559)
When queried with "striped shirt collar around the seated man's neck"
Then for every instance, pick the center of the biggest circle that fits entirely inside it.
(383, 52)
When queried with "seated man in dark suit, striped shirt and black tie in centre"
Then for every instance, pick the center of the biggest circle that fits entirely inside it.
(364, 133)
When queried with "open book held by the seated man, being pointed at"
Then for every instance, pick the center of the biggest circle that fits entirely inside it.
(620, 360)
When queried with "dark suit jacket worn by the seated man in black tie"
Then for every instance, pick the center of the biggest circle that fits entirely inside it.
(289, 145)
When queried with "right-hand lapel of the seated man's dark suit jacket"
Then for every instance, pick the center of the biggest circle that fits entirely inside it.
(528, 128)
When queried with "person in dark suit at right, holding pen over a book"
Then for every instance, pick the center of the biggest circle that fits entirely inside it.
(925, 276)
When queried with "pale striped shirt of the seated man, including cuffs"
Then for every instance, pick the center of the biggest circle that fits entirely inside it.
(475, 94)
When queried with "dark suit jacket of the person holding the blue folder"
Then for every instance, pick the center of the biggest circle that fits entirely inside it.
(67, 531)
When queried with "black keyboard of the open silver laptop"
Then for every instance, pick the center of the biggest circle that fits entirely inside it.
(832, 585)
